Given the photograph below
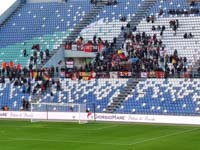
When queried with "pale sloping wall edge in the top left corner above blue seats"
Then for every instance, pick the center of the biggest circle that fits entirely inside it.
(9, 11)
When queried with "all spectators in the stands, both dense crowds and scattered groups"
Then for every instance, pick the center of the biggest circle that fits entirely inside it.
(140, 52)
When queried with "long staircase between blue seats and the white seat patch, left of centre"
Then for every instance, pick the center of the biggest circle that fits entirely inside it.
(86, 20)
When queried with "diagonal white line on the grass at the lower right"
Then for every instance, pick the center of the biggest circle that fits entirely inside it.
(163, 136)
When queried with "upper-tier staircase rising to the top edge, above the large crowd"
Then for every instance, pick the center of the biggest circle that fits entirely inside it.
(135, 20)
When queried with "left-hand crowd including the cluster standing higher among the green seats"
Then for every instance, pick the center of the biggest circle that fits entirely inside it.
(33, 80)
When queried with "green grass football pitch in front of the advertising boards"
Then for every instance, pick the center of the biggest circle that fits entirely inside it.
(23, 135)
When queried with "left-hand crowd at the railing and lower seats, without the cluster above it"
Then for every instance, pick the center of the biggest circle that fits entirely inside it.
(34, 82)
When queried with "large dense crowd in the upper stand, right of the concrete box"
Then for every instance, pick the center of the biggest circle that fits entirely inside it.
(139, 53)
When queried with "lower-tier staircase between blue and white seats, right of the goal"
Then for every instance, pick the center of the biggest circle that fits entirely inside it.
(117, 101)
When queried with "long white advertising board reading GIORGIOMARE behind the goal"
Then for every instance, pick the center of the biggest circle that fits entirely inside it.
(132, 118)
